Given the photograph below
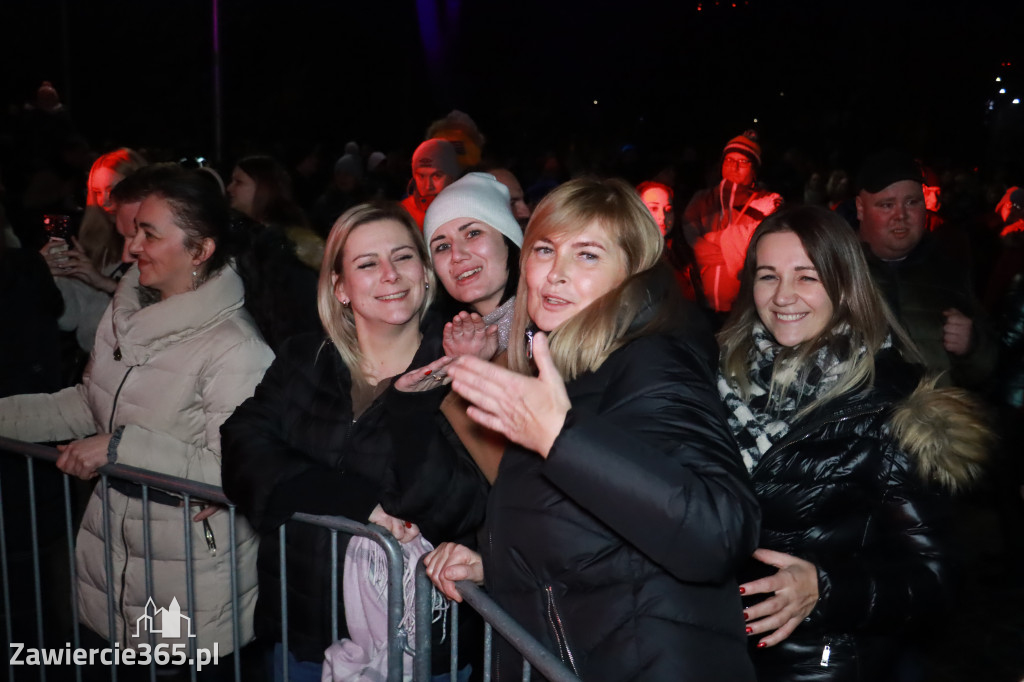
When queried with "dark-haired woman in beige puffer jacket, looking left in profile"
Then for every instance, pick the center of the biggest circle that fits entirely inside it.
(174, 359)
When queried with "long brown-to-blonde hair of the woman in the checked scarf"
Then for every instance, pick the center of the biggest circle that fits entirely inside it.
(861, 317)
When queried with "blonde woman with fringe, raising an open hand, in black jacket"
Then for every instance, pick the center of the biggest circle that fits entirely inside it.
(621, 509)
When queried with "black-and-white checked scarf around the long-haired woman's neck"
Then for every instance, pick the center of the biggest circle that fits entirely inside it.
(764, 417)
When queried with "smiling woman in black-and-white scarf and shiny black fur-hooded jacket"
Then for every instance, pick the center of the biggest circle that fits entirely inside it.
(851, 458)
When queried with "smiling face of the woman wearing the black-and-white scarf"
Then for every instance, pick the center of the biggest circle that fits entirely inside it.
(790, 297)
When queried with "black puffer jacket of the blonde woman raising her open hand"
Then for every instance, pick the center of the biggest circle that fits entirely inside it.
(620, 550)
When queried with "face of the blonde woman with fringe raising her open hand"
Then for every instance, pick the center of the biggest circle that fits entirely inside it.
(566, 274)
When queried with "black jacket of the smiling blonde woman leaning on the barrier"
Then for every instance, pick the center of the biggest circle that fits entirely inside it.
(294, 447)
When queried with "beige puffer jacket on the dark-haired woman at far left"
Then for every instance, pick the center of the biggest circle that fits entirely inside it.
(170, 374)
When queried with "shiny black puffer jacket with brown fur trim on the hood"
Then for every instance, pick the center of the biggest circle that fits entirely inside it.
(858, 489)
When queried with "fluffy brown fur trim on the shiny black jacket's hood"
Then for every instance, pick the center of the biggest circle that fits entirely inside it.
(946, 433)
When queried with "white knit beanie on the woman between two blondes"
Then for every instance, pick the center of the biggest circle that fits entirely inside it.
(476, 196)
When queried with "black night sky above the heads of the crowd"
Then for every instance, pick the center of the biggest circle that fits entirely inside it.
(665, 74)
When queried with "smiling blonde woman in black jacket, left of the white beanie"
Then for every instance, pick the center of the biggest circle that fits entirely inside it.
(340, 425)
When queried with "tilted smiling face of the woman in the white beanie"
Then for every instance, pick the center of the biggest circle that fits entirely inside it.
(472, 261)
